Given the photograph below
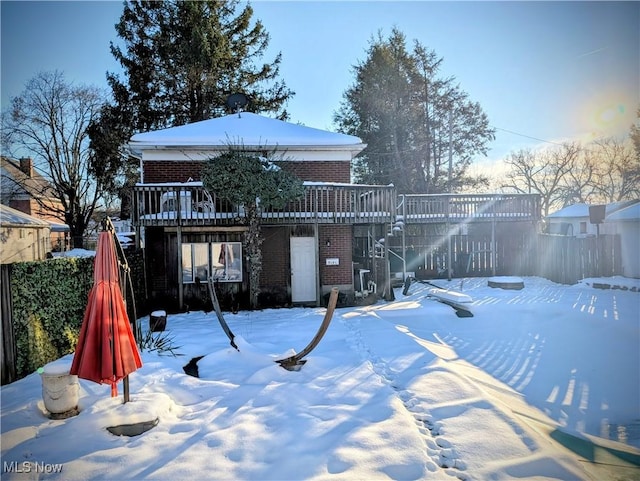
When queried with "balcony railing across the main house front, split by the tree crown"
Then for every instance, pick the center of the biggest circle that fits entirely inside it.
(189, 204)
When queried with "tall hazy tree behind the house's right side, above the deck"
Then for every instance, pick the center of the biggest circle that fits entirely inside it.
(411, 119)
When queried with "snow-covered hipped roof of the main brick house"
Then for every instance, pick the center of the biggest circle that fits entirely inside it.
(245, 129)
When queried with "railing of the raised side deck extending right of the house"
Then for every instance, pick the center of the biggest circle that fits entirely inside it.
(434, 208)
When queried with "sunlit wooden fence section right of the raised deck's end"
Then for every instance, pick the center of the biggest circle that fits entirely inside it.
(566, 260)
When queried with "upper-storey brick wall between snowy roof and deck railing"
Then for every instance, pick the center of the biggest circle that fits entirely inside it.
(181, 171)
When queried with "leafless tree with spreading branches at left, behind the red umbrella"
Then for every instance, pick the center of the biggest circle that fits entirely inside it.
(48, 121)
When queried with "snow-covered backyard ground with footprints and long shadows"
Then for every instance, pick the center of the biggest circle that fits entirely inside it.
(542, 383)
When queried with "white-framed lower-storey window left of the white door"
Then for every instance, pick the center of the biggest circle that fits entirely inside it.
(222, 259)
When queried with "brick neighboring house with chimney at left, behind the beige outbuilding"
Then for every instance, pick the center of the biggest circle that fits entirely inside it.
(24, 189)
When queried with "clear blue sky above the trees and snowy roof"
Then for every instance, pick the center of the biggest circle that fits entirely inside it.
(547, 70)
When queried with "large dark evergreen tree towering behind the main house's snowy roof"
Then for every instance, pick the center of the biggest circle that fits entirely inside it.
(181, 60)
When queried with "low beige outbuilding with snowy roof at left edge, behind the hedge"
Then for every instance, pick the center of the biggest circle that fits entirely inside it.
(22, 237)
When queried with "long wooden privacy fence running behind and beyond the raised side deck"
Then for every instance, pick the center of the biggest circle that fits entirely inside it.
(513, 249)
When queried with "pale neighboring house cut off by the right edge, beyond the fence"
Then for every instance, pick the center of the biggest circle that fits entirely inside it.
(626, 223)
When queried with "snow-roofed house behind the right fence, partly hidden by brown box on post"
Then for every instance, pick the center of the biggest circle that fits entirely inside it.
(574, 220)
